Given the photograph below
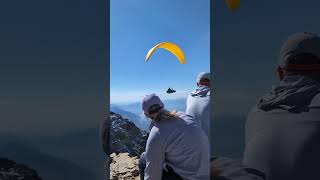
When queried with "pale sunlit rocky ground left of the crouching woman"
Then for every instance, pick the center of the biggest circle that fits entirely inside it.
(124, 167)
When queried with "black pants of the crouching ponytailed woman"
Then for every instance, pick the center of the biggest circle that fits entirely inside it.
(166, 175)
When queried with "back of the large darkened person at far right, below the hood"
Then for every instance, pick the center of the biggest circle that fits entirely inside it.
(284, 144)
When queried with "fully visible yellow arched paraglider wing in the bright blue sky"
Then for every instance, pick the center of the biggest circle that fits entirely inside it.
(173, 48)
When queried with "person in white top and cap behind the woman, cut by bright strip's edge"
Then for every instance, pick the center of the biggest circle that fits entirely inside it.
(198, 102)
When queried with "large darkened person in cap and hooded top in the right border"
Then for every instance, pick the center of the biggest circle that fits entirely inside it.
(283, 129)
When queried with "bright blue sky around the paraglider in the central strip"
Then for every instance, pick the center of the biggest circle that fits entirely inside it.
(136, 26)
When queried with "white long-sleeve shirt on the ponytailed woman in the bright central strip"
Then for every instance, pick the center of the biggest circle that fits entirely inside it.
(181, 144)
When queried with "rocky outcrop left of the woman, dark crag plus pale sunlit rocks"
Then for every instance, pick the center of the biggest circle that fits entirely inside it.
(127, 144)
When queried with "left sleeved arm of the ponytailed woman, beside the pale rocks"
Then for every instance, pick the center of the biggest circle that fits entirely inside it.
(155, 154)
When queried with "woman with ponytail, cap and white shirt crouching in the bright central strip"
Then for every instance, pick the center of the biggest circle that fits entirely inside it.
(175, 143)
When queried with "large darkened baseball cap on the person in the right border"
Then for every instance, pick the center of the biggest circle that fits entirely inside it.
(299, 43)
